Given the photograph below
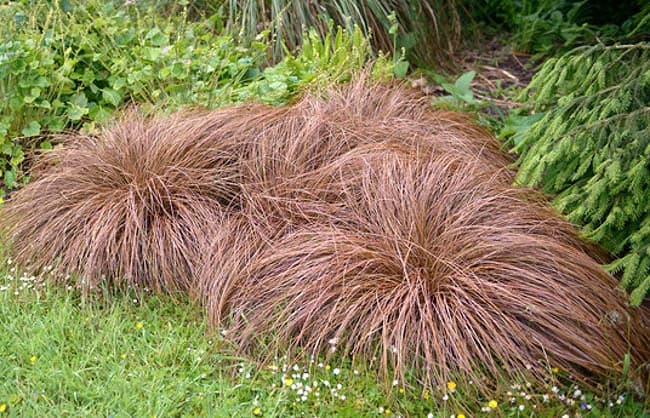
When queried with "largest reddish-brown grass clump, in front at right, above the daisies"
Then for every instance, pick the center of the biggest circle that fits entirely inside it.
(443, 269)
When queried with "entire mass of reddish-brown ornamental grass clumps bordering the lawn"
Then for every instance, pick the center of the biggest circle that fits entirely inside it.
(359, 216)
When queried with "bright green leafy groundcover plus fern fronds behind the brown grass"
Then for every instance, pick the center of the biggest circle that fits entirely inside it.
(69, 69)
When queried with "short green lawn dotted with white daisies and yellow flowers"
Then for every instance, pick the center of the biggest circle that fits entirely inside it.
(122, 356)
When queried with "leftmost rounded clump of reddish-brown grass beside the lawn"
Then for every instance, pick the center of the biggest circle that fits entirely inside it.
(128, 205)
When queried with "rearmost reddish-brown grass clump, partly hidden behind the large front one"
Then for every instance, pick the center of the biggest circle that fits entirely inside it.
(318, 129)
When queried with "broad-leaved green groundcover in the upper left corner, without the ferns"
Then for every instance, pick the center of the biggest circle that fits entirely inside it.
(68, 69)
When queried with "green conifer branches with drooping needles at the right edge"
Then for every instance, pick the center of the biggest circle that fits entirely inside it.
(590, 148)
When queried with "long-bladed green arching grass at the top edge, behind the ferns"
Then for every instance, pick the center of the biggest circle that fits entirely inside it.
(430, 31)
